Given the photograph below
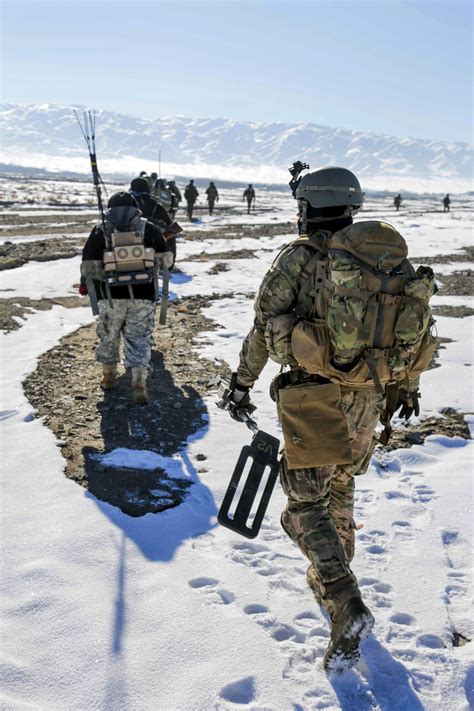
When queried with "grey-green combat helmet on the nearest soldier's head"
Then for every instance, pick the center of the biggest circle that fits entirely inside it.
(328, 194)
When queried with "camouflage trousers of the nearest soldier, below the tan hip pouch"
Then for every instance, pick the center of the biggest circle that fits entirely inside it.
(319, 513)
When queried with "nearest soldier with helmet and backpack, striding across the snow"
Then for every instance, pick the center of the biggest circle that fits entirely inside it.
(346, 366)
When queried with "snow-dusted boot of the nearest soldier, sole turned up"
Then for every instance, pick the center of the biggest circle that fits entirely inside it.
(350, 624)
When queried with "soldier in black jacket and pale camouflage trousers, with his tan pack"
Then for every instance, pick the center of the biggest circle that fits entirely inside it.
(126, 310)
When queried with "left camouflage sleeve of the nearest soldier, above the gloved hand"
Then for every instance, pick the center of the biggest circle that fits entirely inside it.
(277, 295)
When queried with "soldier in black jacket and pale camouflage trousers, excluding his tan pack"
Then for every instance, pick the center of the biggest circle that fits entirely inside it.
(122, 313)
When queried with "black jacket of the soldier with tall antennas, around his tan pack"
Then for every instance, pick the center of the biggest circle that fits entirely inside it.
(94, 250)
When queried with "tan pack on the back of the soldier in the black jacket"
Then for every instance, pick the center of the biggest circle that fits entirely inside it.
(126, 259)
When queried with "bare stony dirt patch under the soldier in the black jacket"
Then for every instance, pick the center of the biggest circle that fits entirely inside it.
(65, 391)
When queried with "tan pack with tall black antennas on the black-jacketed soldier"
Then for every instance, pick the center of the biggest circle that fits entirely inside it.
(127, 261)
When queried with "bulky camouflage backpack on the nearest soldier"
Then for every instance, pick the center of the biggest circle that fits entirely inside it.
(369, 320)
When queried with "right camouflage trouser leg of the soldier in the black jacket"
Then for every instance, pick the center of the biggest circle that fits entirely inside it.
(138, 332)
